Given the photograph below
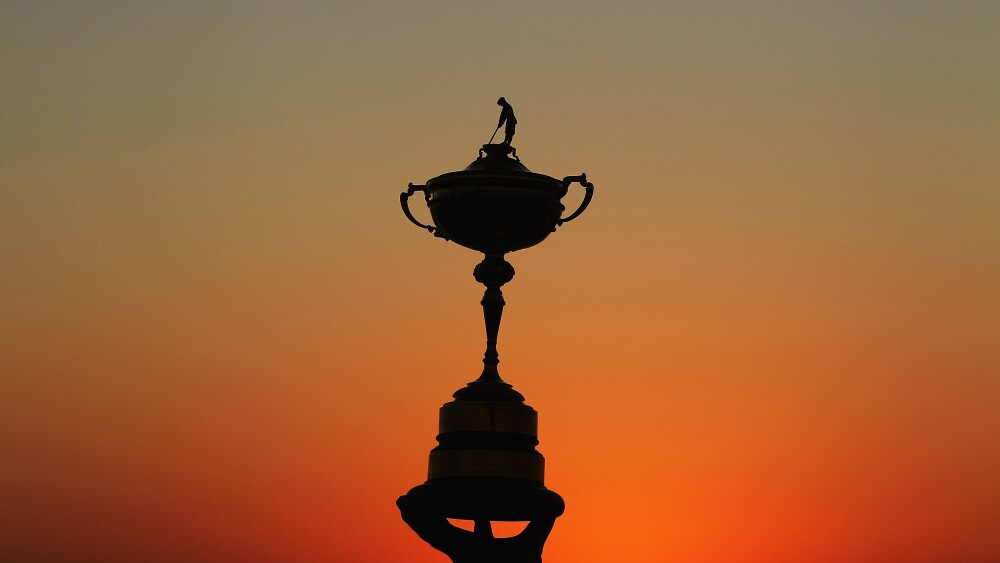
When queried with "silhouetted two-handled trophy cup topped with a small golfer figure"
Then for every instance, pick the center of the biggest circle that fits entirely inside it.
(485, 466)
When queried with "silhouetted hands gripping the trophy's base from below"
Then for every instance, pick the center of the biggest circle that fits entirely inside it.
(478, 546)
